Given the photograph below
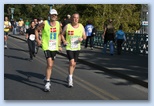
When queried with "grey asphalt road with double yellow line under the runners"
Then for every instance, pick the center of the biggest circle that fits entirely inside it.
(23, 80)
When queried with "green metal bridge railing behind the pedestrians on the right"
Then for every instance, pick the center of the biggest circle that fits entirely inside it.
(135, 43)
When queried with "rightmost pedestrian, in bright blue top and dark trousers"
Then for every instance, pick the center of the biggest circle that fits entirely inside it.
(120, 38)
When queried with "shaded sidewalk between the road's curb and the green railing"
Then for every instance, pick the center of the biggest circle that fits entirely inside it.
(131, 67)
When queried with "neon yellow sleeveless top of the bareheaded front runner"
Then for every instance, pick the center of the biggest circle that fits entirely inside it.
(72, 36)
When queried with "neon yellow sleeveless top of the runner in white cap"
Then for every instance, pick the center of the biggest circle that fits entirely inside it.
(50, 36)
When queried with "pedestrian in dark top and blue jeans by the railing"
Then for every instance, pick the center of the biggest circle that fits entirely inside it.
(109, 35)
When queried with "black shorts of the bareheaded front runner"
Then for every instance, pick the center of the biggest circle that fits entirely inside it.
(73, 55)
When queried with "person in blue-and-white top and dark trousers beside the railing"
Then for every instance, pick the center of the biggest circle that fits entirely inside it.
(88, 29)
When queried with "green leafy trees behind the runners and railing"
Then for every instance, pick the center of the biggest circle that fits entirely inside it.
(126, 14)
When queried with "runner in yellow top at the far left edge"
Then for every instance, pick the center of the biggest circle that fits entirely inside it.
(7, 26)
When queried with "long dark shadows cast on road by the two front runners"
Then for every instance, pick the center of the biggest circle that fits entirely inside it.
(28, 79)
